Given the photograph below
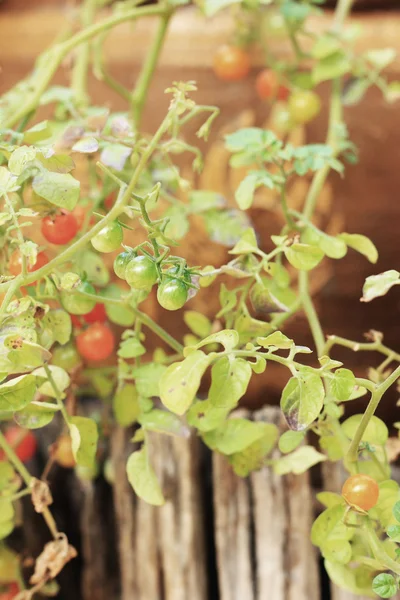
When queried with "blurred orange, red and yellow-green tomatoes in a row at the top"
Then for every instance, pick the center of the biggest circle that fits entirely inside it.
(232, 63)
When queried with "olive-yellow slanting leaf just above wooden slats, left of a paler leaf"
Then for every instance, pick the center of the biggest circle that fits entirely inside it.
(252, 458)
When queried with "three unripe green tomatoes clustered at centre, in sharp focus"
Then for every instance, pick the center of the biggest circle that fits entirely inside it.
(142, 273)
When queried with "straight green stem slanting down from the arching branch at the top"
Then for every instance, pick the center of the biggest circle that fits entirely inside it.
(146, 74)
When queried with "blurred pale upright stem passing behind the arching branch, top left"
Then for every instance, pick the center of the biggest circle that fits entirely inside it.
(79, 81)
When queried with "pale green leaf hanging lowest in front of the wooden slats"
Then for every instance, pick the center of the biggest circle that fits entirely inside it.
(142, 478)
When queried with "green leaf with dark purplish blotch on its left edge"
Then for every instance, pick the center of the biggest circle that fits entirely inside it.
(302, 400)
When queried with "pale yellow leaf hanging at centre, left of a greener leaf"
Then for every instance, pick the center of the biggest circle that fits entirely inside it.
(180, 382)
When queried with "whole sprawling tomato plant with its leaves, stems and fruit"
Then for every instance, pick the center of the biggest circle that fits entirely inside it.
(64, 308)
